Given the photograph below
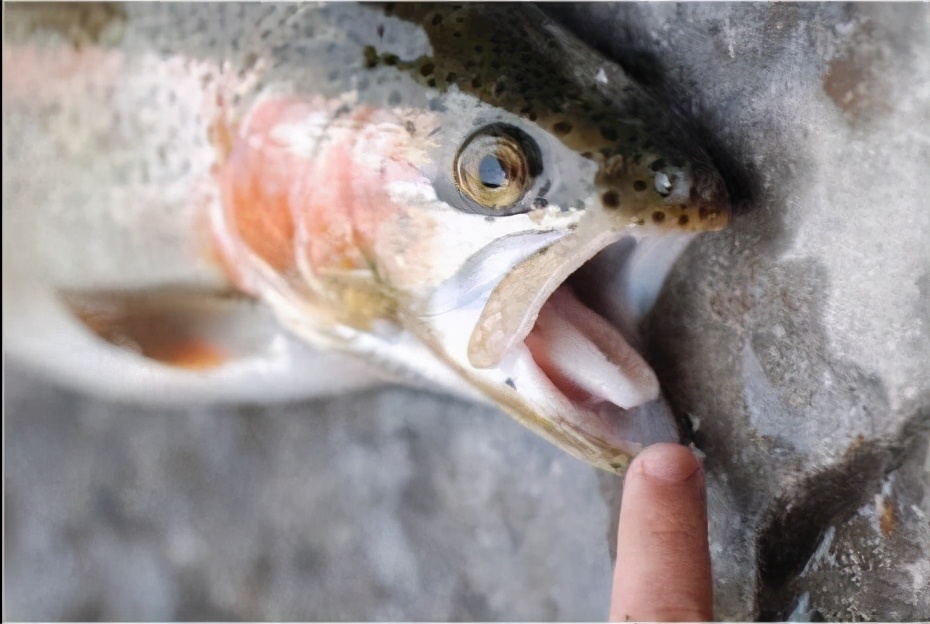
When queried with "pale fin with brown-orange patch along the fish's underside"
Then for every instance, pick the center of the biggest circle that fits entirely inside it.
(172, 348)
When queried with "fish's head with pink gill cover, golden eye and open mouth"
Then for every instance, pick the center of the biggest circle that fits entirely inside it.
(456, 227)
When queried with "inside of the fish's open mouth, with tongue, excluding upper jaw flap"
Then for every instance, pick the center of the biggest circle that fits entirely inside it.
(580, 366)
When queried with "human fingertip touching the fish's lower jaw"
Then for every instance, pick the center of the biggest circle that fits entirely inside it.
(663, 571)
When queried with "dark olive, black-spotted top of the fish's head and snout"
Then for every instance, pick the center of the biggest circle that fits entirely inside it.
(521, 65)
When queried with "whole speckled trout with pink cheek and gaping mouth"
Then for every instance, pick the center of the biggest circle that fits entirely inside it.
(258, 202)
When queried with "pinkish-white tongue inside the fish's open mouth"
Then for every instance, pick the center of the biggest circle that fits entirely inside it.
(582, 353)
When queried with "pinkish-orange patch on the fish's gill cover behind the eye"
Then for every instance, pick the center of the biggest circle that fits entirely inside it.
(304, 184)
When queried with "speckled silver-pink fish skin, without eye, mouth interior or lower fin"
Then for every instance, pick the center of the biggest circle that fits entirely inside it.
(171, 123)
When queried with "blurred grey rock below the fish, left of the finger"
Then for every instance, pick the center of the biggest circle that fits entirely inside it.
(385, 505)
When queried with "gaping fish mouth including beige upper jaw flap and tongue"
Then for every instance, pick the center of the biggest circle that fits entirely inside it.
(557, 340)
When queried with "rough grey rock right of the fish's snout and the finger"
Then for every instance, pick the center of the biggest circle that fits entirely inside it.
(797, 343)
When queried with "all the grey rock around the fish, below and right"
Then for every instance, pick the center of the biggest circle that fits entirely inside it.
(795, 346)
